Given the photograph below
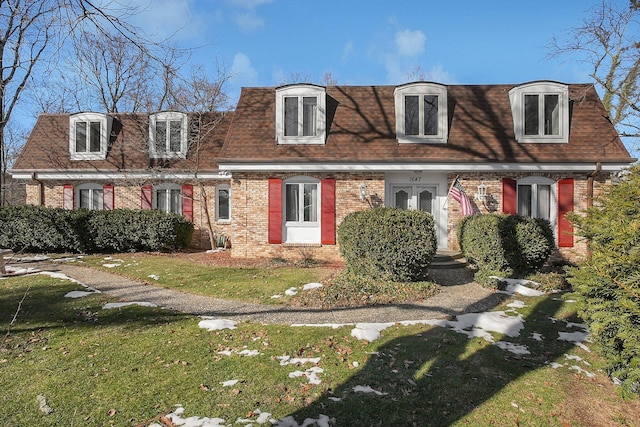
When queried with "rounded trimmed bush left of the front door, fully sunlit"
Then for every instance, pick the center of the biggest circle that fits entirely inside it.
(388, 243)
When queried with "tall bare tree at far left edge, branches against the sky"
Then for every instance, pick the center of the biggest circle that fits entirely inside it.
(34, 33)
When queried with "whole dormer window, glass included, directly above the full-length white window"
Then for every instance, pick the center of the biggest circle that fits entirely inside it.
(300, 114)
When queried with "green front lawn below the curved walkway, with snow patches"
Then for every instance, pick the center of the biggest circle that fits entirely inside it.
(128, 366)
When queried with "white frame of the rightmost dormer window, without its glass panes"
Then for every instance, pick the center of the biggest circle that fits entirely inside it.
(517, 100)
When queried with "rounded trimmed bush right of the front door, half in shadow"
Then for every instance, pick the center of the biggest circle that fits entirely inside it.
(505, 245)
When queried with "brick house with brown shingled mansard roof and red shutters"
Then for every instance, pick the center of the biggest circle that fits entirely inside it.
(297, 159)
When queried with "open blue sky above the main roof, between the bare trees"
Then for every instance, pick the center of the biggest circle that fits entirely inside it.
(265, 42)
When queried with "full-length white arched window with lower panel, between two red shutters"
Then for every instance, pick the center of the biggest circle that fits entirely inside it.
(302, 210)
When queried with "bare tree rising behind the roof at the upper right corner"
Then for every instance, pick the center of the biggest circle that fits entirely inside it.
(609, 42)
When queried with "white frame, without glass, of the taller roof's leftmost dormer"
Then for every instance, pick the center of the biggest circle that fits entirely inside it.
(301, 91)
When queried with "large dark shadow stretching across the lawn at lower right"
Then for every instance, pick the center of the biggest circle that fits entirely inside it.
(438, 377)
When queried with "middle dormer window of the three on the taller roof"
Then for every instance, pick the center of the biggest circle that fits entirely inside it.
(421, 113)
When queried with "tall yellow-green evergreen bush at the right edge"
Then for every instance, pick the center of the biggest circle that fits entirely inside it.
(609, 282)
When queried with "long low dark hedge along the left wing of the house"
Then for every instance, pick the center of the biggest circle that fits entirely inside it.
(40, 229)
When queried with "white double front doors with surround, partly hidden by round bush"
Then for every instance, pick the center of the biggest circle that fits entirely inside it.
(425, 191)
